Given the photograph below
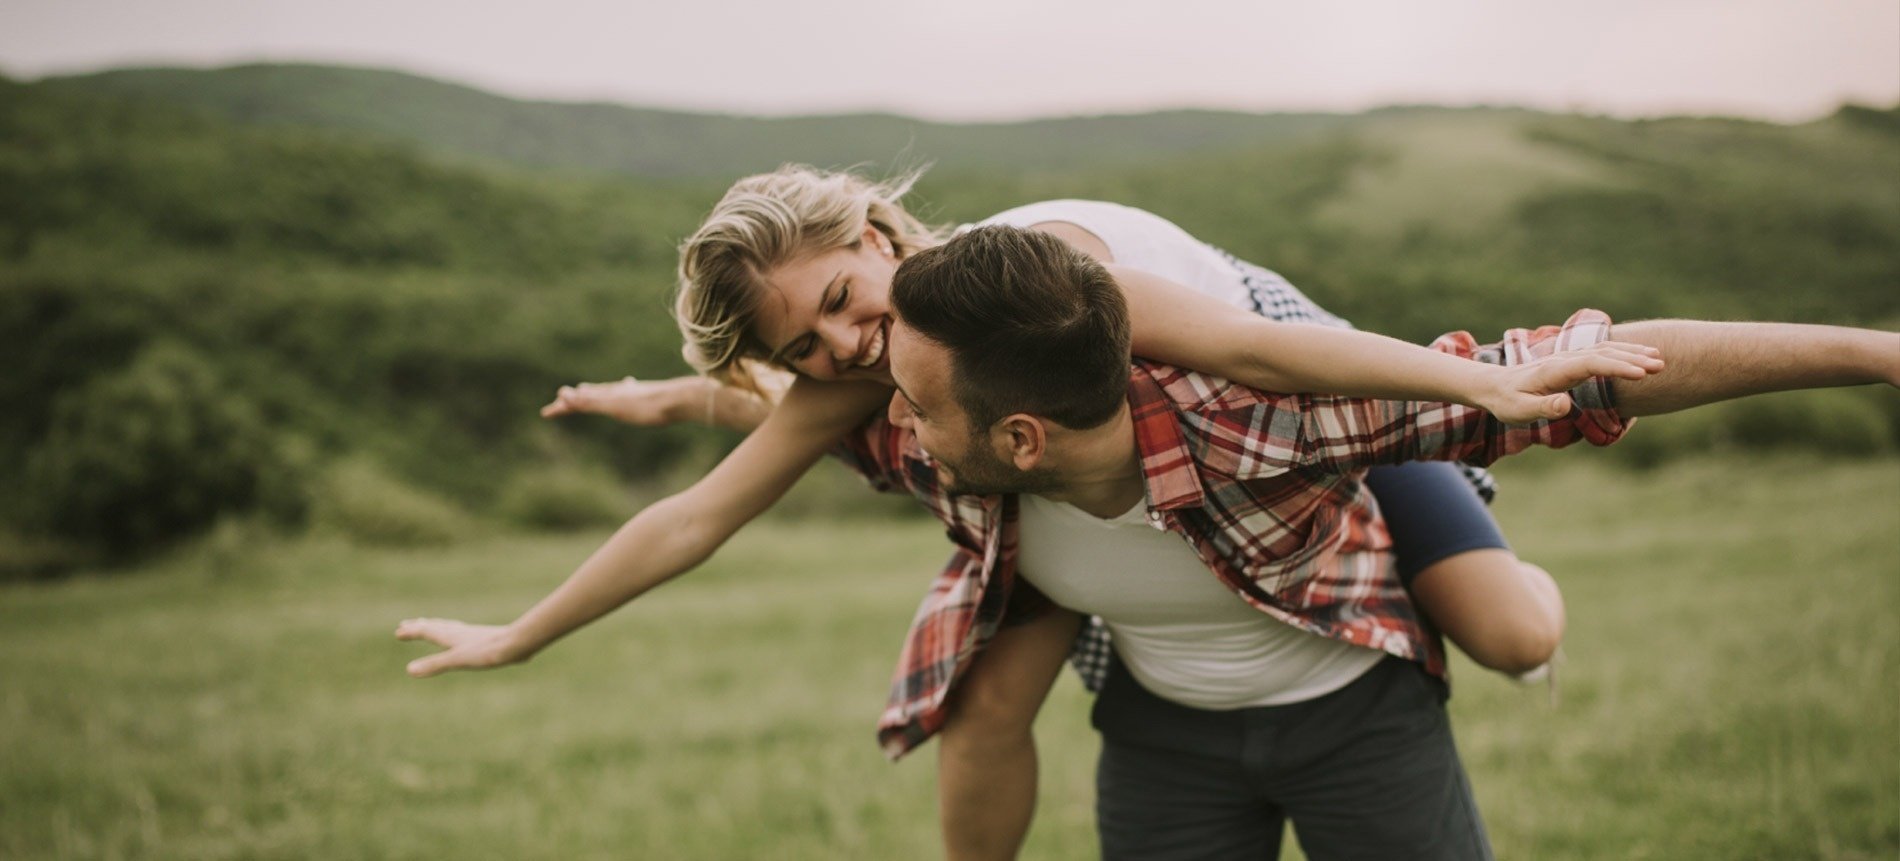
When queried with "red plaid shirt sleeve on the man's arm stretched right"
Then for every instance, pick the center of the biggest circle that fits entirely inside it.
(1257, 434)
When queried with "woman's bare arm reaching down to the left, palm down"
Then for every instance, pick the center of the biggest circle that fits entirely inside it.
(666, 539)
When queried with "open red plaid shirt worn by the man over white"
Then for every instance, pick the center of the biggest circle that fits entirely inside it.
(1264, 488)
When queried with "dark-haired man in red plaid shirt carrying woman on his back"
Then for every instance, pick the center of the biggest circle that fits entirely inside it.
(1297, 681)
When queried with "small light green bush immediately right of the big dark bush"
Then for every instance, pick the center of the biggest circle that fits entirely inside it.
(364, 503)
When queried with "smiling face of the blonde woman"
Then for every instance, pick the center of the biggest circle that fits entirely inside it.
(829, 315)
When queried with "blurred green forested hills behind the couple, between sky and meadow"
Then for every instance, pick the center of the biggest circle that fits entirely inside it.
(297, 294)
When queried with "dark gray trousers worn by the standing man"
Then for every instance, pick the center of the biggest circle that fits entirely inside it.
(1365, 773)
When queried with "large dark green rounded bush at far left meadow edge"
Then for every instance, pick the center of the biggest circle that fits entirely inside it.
(155, 451)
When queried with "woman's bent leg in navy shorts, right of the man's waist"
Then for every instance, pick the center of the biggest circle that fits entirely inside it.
(1504, 613)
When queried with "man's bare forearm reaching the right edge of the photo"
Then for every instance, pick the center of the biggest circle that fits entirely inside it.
(1719, 362)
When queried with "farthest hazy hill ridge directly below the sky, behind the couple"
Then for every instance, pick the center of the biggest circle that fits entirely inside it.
(670, 143)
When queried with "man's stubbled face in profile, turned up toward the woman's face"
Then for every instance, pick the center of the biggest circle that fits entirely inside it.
(968, 459)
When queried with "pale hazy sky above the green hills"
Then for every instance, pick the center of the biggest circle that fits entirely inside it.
(1002, 60)
